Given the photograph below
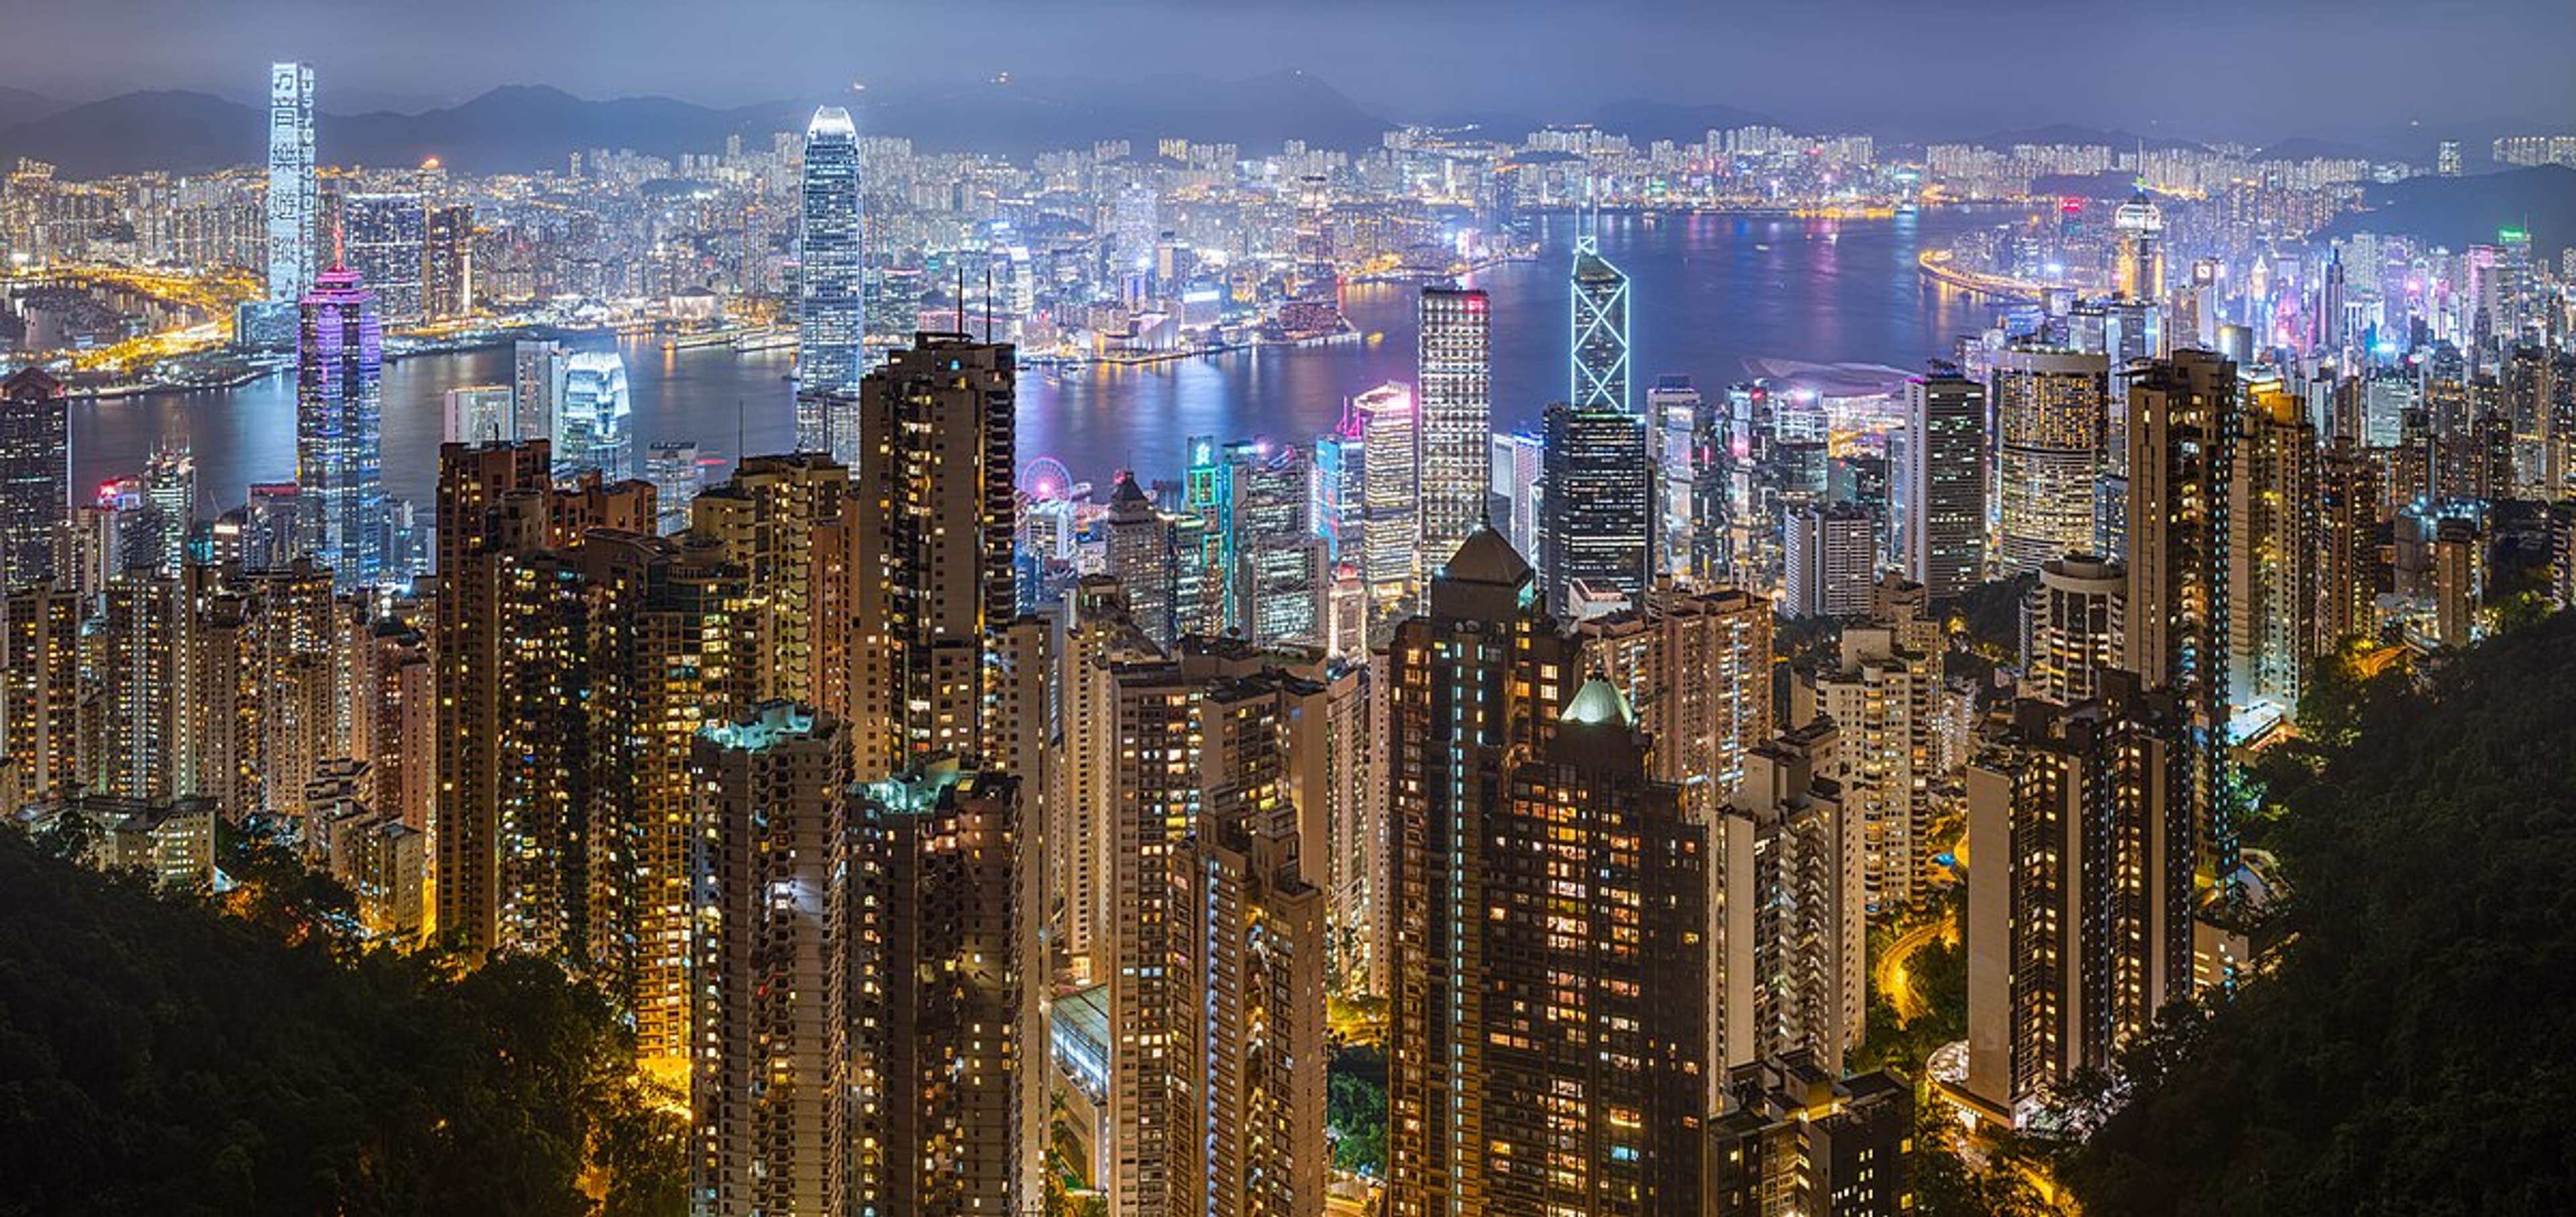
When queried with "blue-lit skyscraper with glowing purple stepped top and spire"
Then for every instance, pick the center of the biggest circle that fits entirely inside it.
(339, 416)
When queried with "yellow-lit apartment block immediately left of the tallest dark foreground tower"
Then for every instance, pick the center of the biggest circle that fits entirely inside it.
(766, 520)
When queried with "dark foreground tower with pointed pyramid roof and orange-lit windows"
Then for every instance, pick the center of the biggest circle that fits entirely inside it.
(1475, 690)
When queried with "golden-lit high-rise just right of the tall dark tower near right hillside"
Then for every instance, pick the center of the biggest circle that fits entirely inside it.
(2271, 556)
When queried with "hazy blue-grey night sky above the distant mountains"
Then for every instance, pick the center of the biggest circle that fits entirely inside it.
(2188, 68)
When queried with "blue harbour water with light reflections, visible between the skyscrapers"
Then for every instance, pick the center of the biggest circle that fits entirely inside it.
(1709, 293)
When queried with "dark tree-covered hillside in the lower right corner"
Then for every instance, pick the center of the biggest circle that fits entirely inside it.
(2418, 1048)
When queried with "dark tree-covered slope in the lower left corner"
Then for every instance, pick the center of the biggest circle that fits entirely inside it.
(158, 1056)
